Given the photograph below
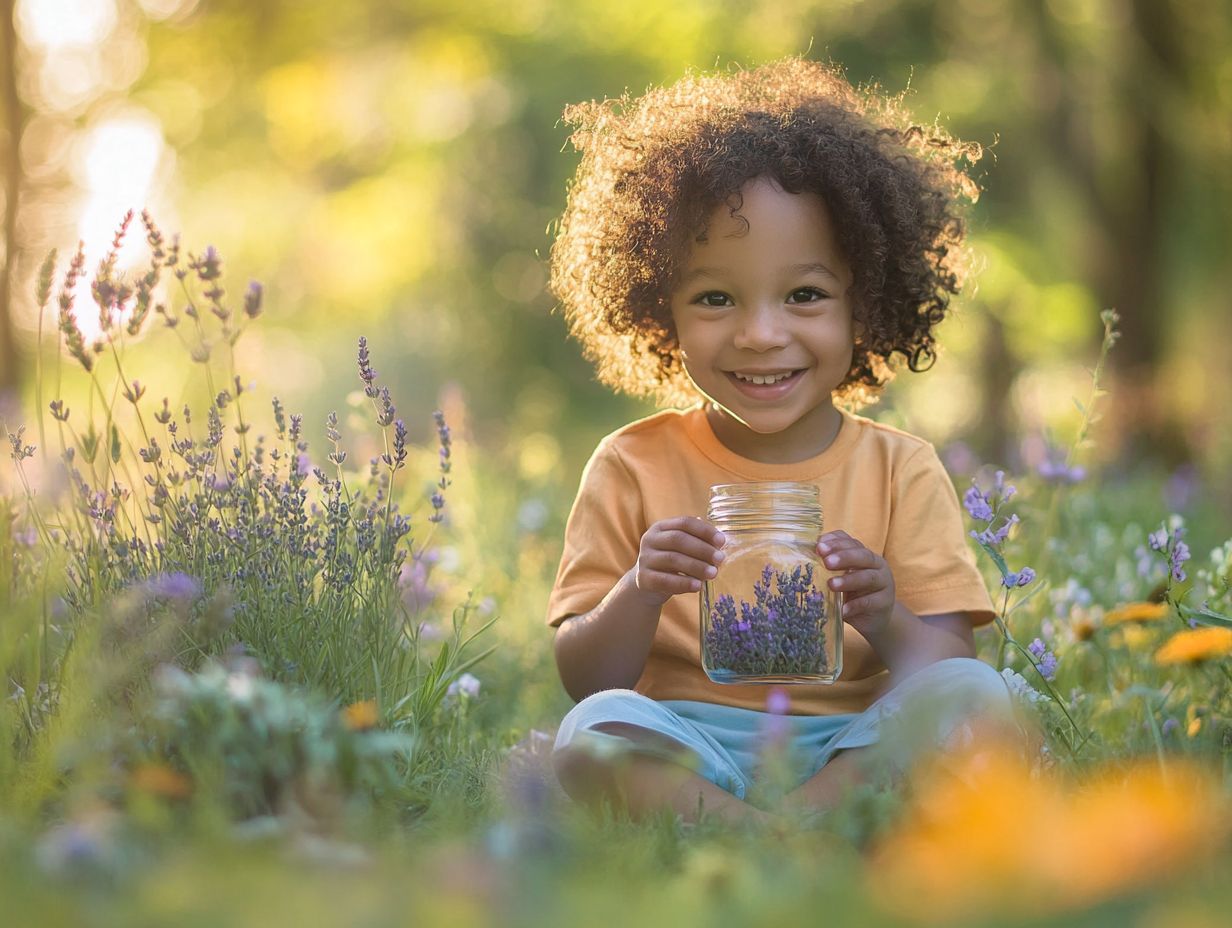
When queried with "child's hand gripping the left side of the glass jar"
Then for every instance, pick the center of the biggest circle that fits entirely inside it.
(676, 556)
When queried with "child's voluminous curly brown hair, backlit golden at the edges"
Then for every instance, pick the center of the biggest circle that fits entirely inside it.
(655, 168)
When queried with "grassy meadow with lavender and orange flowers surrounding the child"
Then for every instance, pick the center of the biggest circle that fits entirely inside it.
(253, 676)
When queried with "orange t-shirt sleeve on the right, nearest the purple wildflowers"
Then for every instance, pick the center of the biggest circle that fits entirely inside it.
(927, 545)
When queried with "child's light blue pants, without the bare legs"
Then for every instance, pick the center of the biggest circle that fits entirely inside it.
(726, 745)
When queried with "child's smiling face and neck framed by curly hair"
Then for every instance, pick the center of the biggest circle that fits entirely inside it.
(772, 301)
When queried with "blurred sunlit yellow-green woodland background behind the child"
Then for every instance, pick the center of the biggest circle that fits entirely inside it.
(394, 169)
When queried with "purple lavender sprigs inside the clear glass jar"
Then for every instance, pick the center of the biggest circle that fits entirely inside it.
(780, 633)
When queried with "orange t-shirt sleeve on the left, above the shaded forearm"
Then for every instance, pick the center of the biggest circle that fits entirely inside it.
(602, 537)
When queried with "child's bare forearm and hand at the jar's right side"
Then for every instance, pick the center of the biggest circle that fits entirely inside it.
(905, 641)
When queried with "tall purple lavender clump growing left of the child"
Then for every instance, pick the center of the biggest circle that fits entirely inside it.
(195, 511)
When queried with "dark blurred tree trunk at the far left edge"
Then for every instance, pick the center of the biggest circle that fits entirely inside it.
(14, 124)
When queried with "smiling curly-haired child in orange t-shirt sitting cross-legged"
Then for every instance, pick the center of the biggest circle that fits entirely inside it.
(755, 247)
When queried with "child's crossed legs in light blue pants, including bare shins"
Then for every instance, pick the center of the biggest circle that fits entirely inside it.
(647, 756)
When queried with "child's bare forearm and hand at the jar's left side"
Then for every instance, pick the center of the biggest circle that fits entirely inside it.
(607, 648)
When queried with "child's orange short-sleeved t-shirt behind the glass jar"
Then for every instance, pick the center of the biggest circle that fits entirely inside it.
(881, 486)
